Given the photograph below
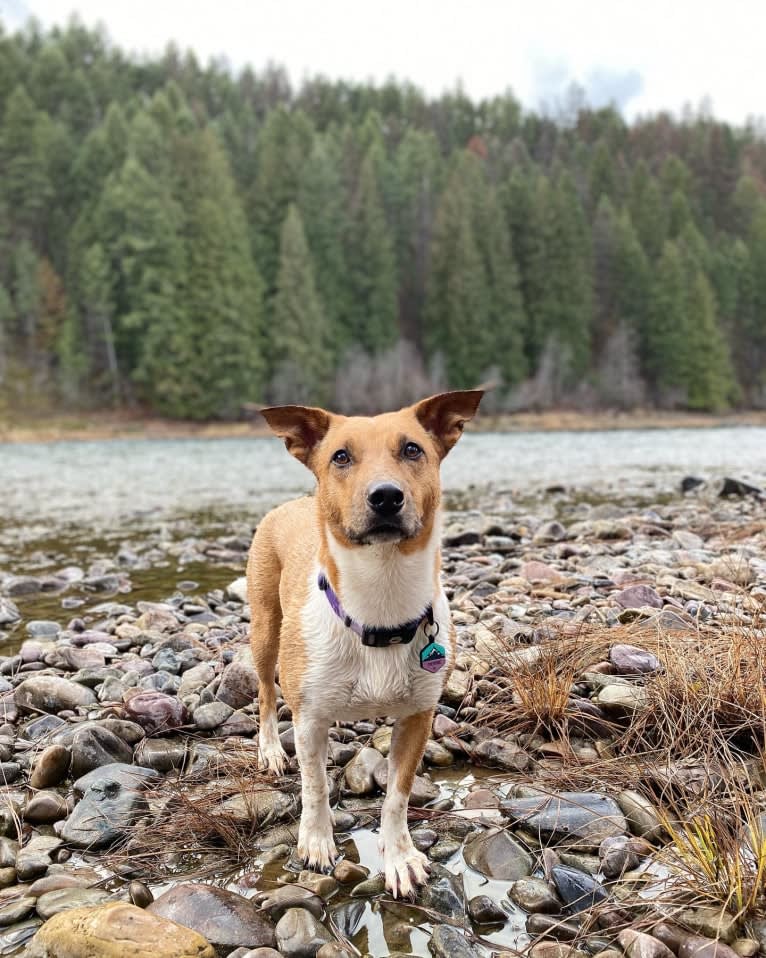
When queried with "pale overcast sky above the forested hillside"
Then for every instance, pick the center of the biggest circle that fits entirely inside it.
(645, 55)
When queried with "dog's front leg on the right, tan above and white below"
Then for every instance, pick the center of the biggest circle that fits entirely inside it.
(406, 868)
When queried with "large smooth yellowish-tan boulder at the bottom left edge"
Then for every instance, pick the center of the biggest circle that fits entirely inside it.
(115, 930)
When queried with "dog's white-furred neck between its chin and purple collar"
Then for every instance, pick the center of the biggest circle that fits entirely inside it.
(381, 584)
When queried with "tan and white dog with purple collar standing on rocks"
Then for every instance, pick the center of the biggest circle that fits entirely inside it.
(344, 590)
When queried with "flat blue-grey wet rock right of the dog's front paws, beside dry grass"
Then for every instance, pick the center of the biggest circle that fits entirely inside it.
(584, 816)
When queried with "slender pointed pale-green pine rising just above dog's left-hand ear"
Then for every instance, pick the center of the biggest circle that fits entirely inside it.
(301, 338)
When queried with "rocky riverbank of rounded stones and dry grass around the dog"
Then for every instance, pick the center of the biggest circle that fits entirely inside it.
(599, 742)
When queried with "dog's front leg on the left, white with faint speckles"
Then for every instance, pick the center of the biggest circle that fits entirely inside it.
(316, 845)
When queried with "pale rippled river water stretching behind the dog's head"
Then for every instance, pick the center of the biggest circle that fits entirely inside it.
(113, 484)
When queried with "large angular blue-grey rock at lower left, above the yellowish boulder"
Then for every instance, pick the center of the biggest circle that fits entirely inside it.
(105, 812)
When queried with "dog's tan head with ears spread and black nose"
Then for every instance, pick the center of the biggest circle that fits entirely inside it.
(378, 477)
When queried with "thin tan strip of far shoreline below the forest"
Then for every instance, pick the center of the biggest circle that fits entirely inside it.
(120, 425)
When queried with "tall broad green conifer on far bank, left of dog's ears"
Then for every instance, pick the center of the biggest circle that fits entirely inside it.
(204, 358)
